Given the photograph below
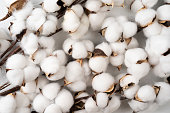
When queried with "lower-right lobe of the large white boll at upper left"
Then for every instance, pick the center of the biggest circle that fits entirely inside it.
(49, 27)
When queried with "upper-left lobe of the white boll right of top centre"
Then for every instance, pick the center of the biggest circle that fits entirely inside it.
(107, 22)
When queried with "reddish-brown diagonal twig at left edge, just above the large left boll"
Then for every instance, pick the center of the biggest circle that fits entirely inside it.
(16, 50)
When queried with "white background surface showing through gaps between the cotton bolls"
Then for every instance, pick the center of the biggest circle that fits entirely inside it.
(96, 38)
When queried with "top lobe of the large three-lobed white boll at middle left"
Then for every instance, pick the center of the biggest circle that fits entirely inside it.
(16, 61)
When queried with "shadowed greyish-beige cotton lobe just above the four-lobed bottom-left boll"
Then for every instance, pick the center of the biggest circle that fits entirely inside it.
(41, 82)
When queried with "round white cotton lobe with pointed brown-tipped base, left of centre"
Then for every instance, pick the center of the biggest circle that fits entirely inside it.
(50, 65)
